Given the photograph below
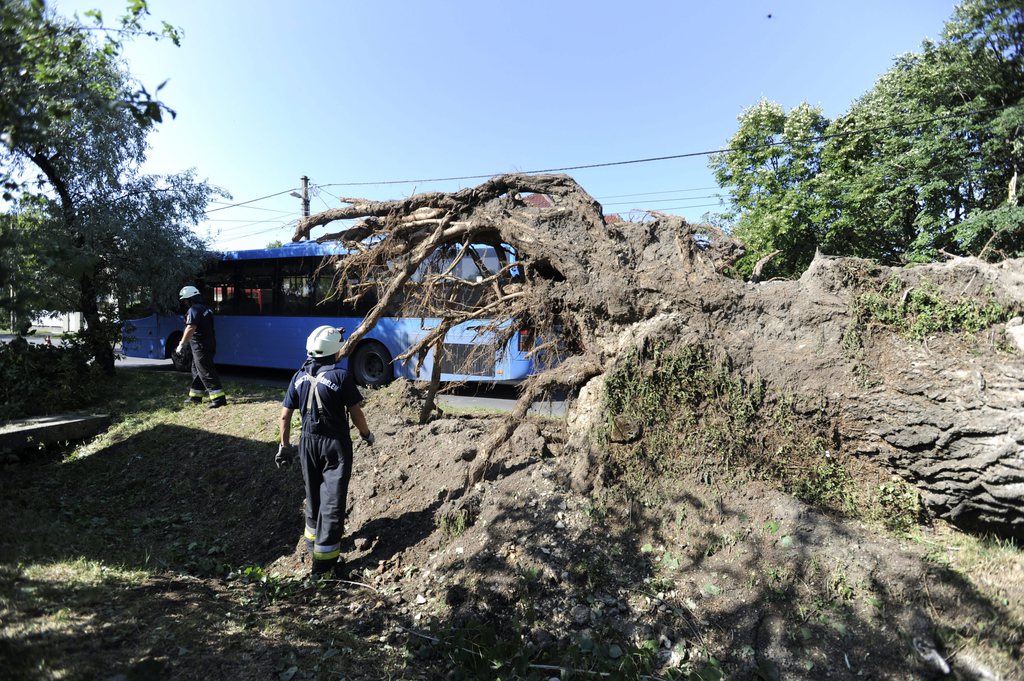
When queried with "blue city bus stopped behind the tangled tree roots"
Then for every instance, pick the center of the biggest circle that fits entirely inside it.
(267, 302)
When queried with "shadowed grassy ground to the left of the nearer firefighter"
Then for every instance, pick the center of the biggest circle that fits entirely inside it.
(106, 561)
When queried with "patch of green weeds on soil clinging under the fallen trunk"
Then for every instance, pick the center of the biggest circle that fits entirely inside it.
(701, 417)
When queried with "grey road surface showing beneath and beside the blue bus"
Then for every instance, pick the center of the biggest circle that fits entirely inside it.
(492, 398)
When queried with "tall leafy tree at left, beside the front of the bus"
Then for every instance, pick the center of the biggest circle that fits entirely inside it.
(73, 116)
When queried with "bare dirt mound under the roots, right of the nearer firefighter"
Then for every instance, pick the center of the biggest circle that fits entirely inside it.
(744, 581)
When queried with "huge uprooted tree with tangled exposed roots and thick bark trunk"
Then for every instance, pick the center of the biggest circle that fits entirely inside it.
(915, 369)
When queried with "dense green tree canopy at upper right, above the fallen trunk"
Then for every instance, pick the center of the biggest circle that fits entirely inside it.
(925, 163)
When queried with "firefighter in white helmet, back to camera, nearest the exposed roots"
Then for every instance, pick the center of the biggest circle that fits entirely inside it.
(326, 396)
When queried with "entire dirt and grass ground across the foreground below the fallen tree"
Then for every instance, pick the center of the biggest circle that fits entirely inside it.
(186, 562)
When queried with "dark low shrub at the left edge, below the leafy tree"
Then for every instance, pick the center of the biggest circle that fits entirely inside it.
(39, 379)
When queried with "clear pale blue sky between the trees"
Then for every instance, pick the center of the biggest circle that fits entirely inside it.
(385, 91)
